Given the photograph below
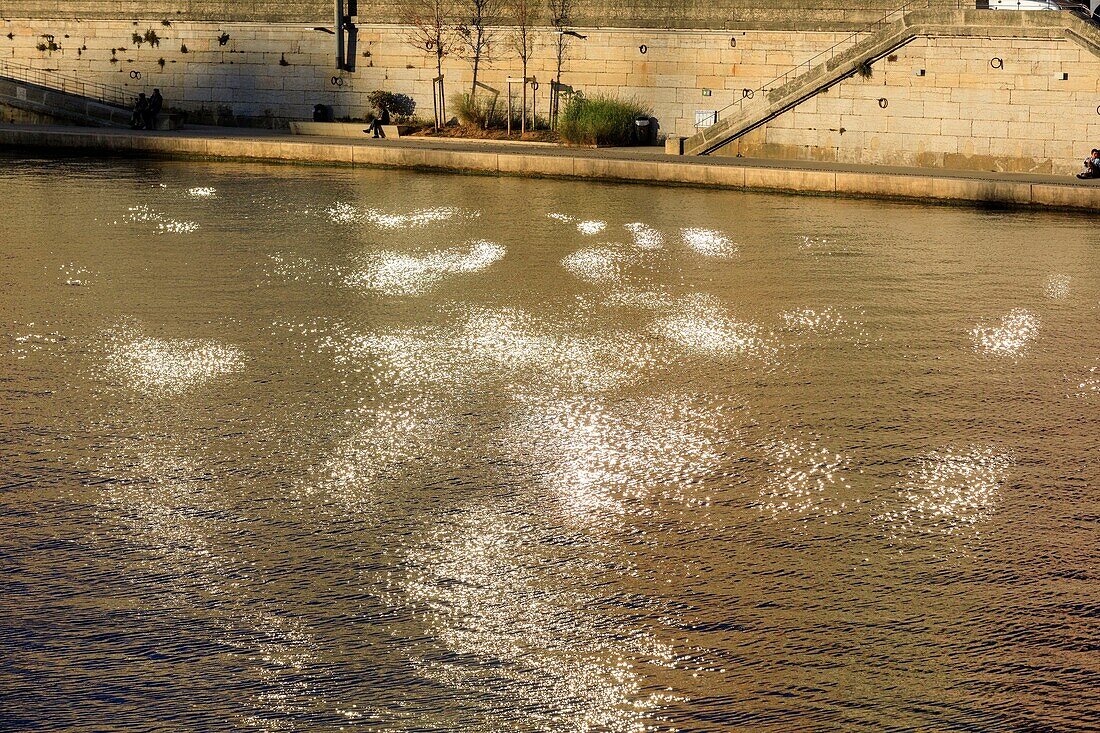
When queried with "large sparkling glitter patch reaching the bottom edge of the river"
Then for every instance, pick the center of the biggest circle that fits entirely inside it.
(480, 584)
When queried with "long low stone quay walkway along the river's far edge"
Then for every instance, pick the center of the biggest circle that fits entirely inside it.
(634, 165)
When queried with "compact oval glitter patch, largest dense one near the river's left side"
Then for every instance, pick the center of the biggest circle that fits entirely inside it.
(170, 367)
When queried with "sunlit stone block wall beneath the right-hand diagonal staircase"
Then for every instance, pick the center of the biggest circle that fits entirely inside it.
(1024, 105)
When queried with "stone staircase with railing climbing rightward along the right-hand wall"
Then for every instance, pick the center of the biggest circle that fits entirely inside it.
(750, 114)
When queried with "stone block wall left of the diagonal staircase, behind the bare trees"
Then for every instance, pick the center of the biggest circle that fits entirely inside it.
(283, 70)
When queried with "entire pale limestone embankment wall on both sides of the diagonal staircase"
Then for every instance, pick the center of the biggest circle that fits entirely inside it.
(1024, 101)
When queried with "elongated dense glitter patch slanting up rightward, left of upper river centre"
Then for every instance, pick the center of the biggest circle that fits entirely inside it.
(400, 273)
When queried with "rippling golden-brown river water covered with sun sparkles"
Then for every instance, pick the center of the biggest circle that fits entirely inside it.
(303, 450)
